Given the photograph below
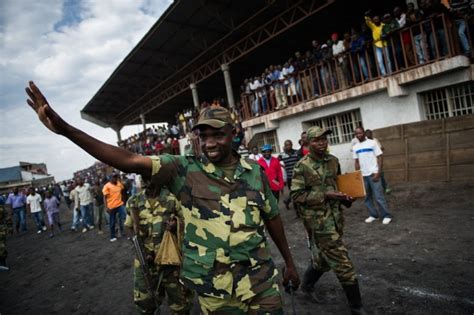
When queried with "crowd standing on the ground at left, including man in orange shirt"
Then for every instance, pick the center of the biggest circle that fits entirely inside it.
(89, 196)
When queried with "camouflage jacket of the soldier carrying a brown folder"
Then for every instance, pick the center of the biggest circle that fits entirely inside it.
(311, 179)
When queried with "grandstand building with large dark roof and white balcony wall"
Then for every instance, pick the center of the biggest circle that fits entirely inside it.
(202, 50)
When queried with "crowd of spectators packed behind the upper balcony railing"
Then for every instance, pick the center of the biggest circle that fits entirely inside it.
(380, 46)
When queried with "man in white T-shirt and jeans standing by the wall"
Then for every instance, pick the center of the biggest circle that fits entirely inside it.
(368, 159)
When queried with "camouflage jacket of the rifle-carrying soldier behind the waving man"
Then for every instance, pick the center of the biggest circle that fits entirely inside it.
(153, 213)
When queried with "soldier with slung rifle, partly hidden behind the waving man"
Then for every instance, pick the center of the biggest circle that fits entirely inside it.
(149, 215)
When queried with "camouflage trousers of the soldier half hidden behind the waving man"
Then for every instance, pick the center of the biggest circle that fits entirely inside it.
(180, 299)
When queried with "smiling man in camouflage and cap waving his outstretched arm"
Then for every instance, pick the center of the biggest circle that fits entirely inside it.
(227, 204)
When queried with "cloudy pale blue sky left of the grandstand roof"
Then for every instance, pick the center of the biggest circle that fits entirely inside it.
(69, 48)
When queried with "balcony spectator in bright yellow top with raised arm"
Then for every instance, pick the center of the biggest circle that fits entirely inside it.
(380, 45)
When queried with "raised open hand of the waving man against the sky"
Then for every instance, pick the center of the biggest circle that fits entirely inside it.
(46, 114)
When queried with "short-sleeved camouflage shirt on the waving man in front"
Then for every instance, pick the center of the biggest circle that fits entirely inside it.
(224, 224)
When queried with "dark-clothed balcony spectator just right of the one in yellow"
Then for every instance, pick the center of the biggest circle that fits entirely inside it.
(390, 35)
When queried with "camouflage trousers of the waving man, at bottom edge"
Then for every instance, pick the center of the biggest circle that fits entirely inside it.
(266, 302)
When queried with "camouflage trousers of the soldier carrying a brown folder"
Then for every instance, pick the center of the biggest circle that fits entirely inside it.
(328, 251)
